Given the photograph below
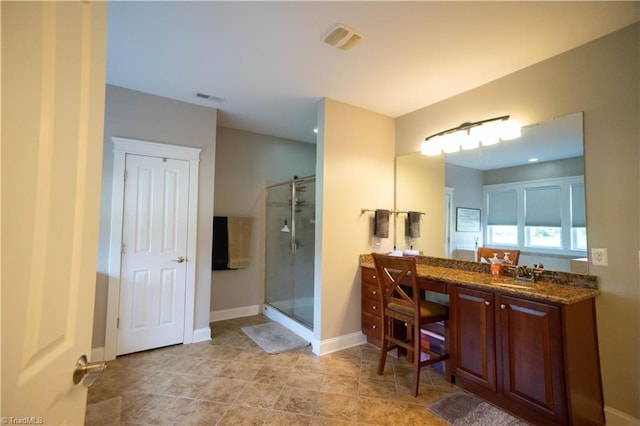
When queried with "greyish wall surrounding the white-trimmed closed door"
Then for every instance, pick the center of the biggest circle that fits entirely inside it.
(137, 115)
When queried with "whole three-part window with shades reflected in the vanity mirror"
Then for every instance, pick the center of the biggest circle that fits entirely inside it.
(545, 215)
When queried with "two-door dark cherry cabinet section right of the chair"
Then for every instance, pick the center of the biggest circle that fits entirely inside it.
(538, 360)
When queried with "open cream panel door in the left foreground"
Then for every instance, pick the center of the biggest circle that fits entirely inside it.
(53, 79)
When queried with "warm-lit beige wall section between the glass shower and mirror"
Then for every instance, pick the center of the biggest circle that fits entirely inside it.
(354, 171)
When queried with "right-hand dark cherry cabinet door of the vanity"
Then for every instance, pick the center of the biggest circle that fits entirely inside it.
(531, 344)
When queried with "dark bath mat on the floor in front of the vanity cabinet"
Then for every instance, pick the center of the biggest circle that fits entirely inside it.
(463, 409)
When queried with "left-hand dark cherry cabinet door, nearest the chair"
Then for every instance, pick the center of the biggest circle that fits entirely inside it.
(472, 315)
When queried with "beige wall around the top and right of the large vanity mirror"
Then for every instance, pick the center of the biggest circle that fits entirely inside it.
(601, 79)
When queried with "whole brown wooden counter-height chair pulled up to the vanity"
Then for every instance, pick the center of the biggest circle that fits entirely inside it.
(398, 304)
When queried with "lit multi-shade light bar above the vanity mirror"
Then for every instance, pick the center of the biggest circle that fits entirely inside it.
(471, 135)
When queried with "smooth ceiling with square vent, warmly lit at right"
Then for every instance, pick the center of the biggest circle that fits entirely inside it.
(269, 63)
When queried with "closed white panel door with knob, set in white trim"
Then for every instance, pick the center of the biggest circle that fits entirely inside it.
(154, 247)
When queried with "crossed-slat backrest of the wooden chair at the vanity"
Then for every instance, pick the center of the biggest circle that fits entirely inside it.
(391, 272)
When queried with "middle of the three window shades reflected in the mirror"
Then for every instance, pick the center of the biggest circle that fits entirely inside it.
(543, 206)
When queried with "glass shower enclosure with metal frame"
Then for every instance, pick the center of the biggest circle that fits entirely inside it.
(290, 248)
